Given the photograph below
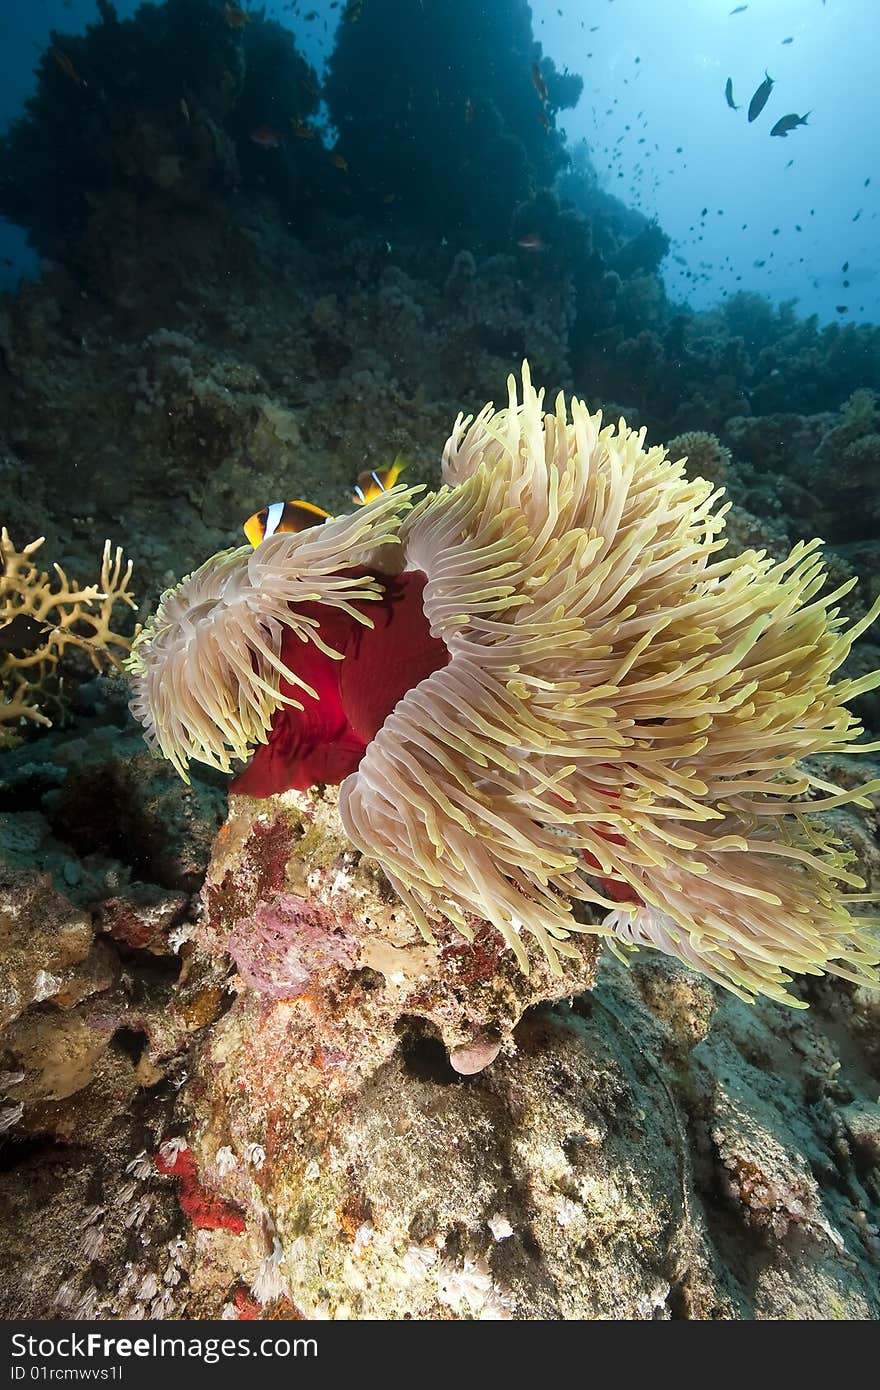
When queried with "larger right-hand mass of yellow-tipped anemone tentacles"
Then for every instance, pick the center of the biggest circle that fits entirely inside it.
(619, 697)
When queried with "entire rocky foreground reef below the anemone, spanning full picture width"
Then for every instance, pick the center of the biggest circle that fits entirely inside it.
(279, 1102)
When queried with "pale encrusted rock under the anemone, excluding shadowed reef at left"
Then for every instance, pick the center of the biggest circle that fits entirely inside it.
(386, 1128)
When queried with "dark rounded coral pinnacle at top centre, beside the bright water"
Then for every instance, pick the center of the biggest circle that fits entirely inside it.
(447, 113)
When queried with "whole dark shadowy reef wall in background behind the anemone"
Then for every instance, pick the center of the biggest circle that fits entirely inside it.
(256, 286)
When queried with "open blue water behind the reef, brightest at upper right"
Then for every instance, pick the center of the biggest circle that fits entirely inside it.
(782, 215)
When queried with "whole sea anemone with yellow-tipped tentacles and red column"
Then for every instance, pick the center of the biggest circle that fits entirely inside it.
(544, 686)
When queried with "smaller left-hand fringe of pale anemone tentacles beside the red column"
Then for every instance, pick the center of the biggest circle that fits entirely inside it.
(208, 667)
